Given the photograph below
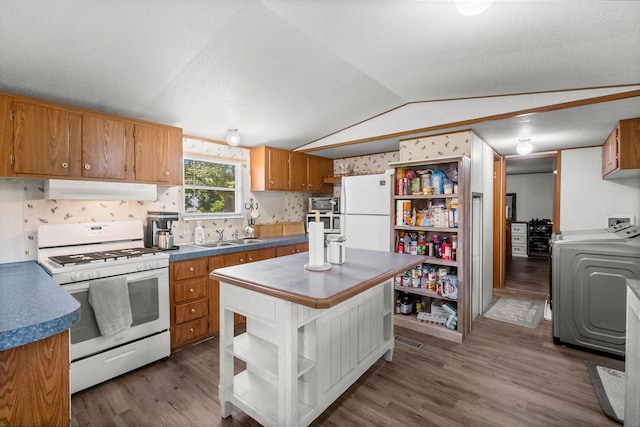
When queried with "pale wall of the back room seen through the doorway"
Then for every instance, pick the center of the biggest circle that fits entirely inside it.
(534, 195)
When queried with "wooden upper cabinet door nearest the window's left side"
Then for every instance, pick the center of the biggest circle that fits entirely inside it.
(151, 153)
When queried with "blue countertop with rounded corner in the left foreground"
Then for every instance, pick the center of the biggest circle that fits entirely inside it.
(32, 305)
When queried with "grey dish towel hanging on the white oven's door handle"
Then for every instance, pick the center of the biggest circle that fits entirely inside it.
(110, 301)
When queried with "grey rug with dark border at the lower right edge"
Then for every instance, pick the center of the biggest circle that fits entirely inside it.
(609, 385)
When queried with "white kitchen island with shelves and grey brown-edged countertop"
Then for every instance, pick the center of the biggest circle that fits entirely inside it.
(309, 335)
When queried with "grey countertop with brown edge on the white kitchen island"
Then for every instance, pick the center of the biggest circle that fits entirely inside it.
(286, 278)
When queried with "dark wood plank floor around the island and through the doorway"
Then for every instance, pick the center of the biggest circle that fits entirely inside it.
(502, 375)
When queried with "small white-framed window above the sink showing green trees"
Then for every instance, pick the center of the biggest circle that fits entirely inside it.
(212, 187)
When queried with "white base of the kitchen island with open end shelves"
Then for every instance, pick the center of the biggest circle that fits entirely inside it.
(299, 360)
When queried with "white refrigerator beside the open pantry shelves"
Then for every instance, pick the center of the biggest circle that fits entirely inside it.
(365, 210)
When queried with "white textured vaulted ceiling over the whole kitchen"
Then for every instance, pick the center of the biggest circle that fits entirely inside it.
(288, 73)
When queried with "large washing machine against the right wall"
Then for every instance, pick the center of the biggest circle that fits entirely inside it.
(588, 288)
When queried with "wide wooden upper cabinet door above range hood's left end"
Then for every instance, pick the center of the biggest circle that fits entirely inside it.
(41, 140)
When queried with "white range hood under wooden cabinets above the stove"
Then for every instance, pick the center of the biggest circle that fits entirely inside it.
(68, 189)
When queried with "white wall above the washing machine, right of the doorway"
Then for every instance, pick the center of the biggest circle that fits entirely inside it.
(586, 199)
